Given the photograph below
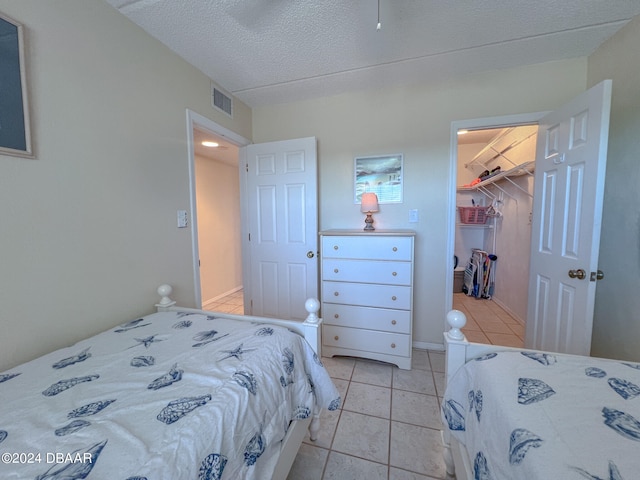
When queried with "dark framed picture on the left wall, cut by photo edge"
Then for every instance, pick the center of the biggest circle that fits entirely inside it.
(15, 132)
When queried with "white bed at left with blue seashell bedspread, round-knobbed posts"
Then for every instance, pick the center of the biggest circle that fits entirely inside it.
(181, 393)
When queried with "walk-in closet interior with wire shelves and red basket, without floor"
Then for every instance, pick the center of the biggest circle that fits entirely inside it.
(495, 201)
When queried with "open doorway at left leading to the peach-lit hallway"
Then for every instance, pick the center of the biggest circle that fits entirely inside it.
(215, 207)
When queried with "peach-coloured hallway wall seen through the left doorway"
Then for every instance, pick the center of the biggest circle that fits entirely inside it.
(219, 241)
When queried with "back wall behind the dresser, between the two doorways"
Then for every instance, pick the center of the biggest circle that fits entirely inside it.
(415, 121)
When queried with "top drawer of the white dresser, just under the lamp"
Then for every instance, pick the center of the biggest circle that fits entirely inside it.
(365, 247)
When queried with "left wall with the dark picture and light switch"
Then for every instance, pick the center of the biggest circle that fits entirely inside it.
(88, 228)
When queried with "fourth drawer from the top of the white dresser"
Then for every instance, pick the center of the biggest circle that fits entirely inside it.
(396, 321)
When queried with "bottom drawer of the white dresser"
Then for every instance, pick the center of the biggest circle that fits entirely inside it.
(366, 340)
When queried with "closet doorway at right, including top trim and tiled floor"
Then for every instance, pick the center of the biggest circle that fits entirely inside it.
(493, 160)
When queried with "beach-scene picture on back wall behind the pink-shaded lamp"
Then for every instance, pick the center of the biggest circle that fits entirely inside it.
(381, 175)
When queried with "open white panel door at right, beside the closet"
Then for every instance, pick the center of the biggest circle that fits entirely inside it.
(571, 157)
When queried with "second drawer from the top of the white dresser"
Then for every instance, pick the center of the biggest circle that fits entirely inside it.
(368, 271)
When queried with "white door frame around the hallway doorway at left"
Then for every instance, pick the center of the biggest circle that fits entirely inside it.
(195, 119)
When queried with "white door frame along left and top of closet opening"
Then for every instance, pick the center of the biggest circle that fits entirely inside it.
(471, 124)
